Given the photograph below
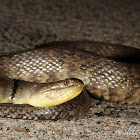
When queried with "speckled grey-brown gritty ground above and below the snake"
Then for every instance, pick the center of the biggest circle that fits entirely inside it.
(25, 24)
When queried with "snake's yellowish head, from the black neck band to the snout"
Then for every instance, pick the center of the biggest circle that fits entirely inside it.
(50, 94)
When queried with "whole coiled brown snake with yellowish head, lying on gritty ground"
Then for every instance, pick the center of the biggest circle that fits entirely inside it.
(53, 81)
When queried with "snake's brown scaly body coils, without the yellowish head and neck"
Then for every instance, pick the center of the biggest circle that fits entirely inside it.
(109, 72)
